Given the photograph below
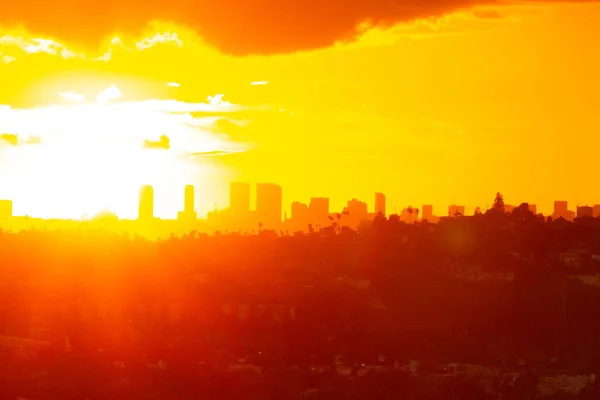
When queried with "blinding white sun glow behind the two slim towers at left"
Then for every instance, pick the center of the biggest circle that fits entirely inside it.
(76, 160)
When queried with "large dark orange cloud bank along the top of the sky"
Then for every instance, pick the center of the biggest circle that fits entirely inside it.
(234, 26)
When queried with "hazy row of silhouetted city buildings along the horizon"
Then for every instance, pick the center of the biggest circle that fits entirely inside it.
(267, 201)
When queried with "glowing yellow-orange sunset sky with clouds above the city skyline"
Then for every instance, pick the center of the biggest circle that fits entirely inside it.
(444, 102)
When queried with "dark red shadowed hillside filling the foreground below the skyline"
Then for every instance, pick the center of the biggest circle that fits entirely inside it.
(391, 311)
